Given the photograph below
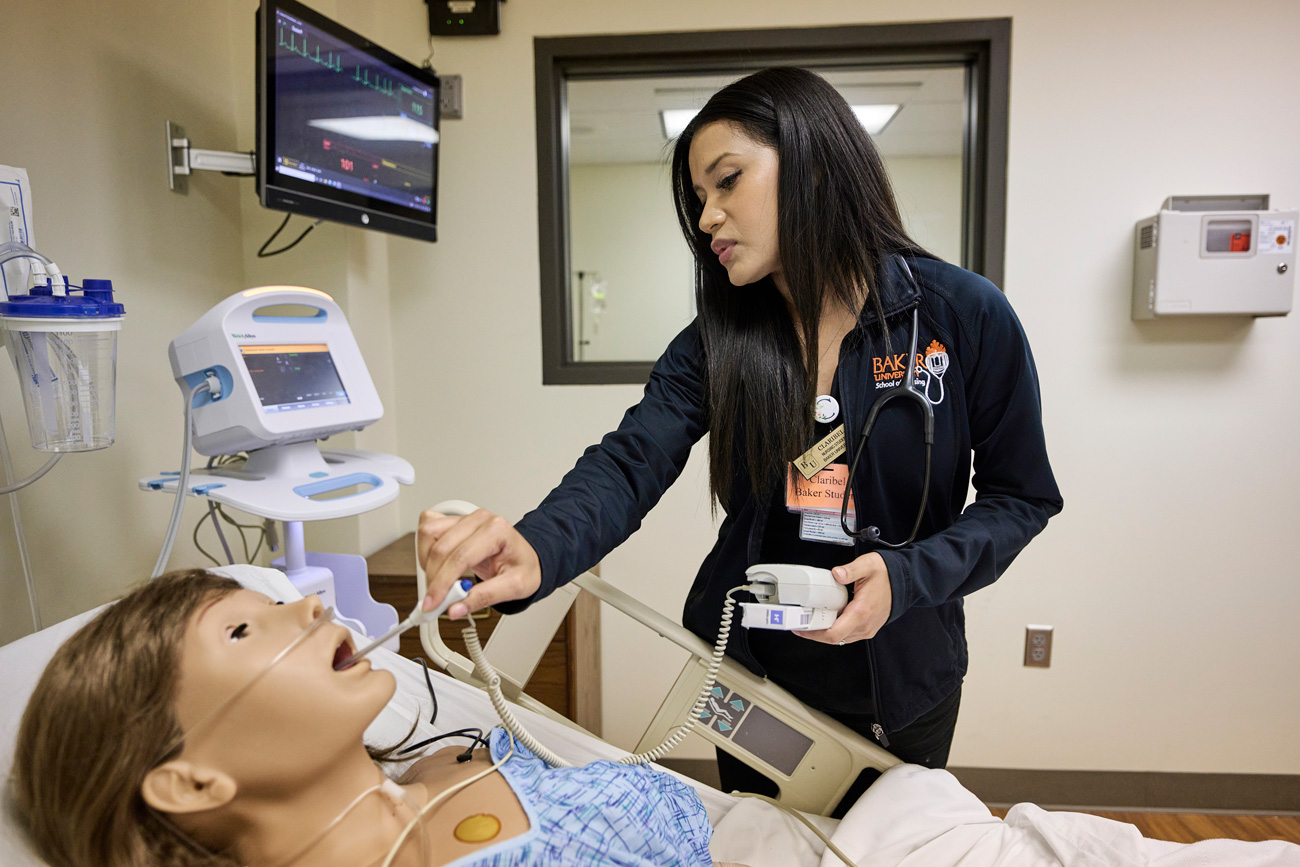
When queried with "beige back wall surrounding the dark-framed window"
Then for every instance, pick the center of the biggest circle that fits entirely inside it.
(1172, 575)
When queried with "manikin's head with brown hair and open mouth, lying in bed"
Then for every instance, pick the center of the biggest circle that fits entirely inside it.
(120, 747)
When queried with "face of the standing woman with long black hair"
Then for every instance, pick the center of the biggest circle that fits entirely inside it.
(735, 179)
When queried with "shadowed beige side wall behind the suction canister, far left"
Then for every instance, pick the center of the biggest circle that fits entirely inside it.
(88, 92)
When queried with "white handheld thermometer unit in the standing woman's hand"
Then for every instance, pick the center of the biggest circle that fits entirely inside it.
(792, 597)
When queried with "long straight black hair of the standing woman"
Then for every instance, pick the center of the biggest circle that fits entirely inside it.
(838, 224)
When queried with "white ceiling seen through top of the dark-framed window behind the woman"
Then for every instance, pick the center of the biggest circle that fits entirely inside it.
(617, 120)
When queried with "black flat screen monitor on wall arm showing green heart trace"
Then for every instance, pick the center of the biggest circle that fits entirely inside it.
(346, 131)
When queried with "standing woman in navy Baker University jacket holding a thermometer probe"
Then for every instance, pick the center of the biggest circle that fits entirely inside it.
(814, 307)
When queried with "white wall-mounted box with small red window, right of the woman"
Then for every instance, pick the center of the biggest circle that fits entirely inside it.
(1215, 255)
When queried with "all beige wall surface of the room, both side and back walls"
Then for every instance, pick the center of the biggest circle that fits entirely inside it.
(1171, 578)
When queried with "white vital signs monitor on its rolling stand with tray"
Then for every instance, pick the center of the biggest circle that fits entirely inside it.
(270, 372)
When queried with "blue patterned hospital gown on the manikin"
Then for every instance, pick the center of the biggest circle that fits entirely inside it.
(599, 814)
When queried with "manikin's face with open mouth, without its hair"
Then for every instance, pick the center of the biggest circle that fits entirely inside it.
(300, 713)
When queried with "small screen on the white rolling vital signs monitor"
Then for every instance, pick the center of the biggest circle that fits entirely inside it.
(294, 376)
